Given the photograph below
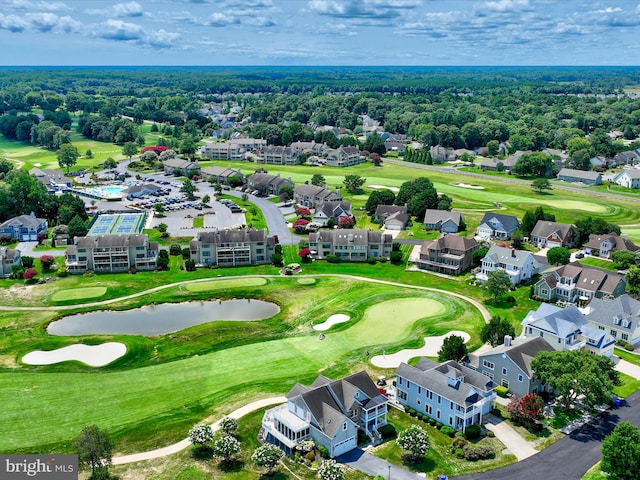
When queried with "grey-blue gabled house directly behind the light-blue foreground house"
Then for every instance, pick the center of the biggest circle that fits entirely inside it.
(509, 364)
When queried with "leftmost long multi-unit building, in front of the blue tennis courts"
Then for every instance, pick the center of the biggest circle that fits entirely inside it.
(111, 253)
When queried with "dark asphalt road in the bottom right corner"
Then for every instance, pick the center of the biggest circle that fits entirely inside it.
(571, 457)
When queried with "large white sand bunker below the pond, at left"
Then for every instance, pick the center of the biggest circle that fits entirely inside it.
(92, 355)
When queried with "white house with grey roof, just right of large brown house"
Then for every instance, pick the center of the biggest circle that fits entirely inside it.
(520, 265)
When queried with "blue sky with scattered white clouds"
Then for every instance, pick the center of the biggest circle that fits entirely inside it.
(320, 32)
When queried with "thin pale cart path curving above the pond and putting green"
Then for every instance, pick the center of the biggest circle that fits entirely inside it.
(485, 313)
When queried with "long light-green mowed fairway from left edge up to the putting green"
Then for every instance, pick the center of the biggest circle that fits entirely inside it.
(119, 401)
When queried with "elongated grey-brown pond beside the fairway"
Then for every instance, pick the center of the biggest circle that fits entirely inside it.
(161, 319)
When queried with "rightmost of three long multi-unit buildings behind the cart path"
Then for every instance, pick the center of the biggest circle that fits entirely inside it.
(354, 245)
